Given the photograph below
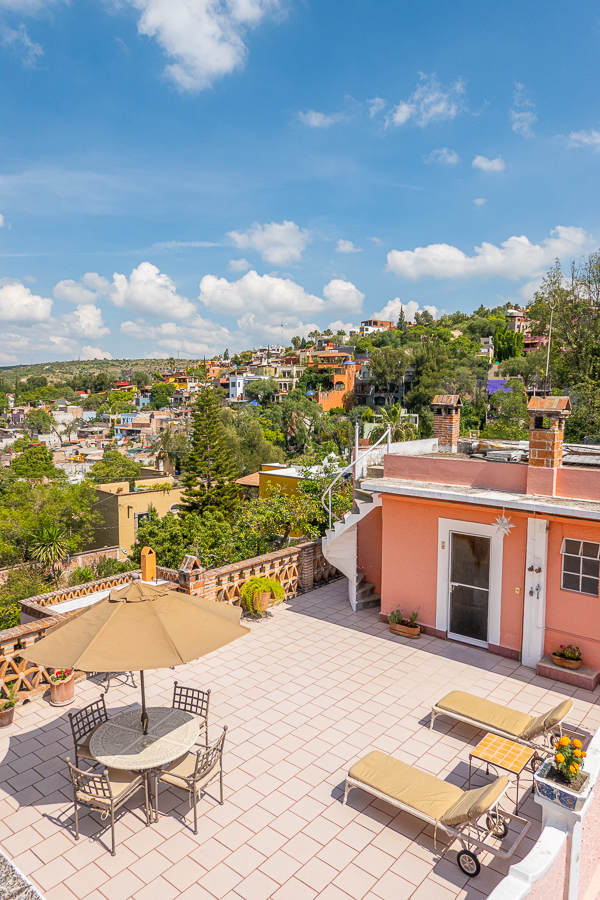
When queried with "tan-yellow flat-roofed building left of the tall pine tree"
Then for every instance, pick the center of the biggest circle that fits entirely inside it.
(122, 509)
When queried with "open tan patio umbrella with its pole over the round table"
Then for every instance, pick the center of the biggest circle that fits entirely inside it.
(141, 626)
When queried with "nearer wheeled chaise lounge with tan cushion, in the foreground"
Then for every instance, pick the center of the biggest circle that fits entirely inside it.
(440, 803)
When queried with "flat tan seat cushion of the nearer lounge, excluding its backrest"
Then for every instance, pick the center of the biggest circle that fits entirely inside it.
(419, 790)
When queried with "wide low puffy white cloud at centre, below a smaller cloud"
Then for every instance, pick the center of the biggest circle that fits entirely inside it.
(274, 298)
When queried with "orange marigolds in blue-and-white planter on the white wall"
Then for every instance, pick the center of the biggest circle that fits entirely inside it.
(560, 778)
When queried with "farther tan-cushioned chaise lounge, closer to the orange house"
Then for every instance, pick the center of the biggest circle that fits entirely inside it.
(508, 723)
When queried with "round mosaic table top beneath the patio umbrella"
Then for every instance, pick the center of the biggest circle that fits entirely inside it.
(120, 743)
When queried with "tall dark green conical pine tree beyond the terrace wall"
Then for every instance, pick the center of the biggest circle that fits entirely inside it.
(210, 473)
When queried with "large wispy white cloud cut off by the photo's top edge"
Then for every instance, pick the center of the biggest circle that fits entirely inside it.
(204, 37)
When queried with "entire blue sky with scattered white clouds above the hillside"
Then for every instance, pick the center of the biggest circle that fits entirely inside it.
(181, 177)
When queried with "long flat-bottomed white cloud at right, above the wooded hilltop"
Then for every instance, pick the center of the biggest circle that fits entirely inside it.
(515, 258)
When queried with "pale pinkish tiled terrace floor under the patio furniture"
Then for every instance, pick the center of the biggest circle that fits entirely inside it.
(308, 692)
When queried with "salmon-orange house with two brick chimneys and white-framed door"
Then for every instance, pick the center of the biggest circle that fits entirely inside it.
(499, 550)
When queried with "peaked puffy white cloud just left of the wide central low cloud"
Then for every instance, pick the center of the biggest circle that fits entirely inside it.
(147, 291)
